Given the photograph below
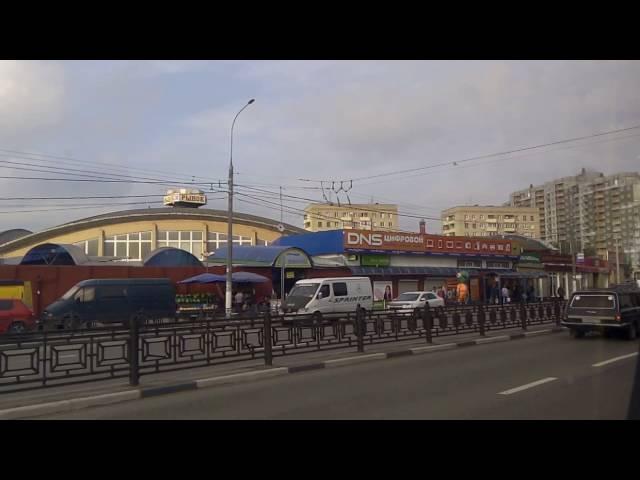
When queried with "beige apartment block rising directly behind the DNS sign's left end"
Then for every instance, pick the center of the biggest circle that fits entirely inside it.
(319, 217)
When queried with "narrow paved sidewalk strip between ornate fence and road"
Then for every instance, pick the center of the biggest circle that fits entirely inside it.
(200, 377)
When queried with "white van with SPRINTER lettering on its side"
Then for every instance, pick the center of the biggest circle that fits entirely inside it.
(322, 296)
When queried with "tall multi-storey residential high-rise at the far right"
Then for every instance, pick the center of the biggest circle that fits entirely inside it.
(588, 211)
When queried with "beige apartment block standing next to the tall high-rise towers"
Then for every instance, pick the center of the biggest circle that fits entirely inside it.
(485, 221)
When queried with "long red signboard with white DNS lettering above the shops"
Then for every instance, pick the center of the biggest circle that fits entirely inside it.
(422, 243)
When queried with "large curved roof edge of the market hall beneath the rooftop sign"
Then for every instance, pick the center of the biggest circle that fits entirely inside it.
(147, 214)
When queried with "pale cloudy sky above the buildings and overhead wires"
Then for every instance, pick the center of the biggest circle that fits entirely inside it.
(321, 121)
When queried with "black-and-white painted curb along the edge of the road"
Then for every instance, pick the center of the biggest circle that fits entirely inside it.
(65, 406)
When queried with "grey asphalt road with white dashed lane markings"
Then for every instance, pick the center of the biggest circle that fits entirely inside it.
(546, 377)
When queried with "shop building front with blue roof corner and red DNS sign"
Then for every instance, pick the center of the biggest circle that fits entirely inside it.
(400, 262)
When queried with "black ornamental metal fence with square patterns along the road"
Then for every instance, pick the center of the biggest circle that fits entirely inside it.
(44, 359)
